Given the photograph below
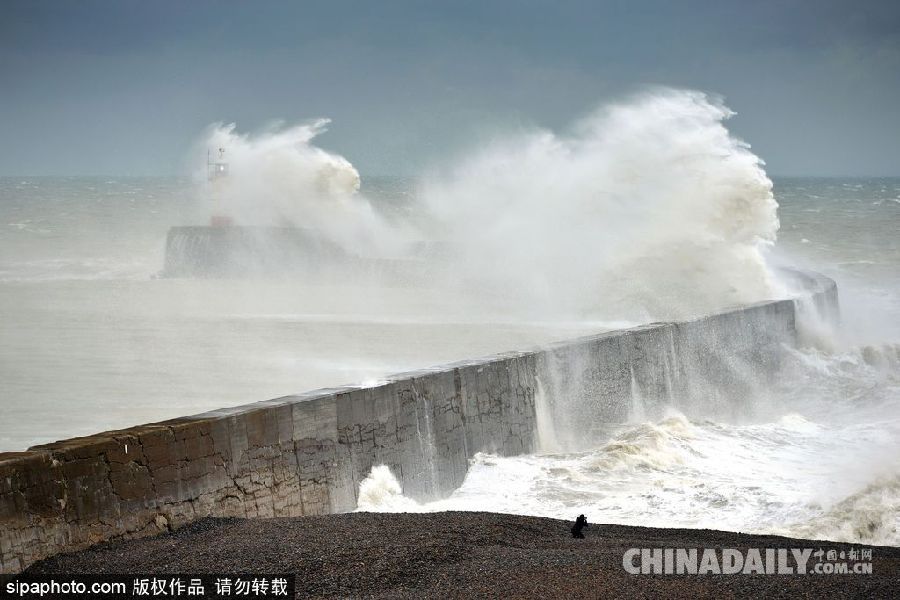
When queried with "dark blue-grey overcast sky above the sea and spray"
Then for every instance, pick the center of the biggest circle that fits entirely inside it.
(124, 87)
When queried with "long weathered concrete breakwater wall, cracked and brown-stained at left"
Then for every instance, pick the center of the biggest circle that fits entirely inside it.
(306, 454)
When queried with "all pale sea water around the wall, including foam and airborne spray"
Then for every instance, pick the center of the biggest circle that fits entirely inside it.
(644, 210)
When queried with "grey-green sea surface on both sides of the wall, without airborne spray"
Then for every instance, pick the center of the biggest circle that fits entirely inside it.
(91, 340)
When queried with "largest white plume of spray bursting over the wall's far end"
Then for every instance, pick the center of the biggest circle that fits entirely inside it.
(647, 210)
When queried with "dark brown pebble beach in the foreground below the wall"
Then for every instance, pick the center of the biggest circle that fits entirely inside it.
(463, 554)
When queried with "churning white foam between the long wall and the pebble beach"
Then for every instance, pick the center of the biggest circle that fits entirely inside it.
(822, 465)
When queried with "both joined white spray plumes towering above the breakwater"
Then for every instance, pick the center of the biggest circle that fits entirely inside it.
(647, 209)
